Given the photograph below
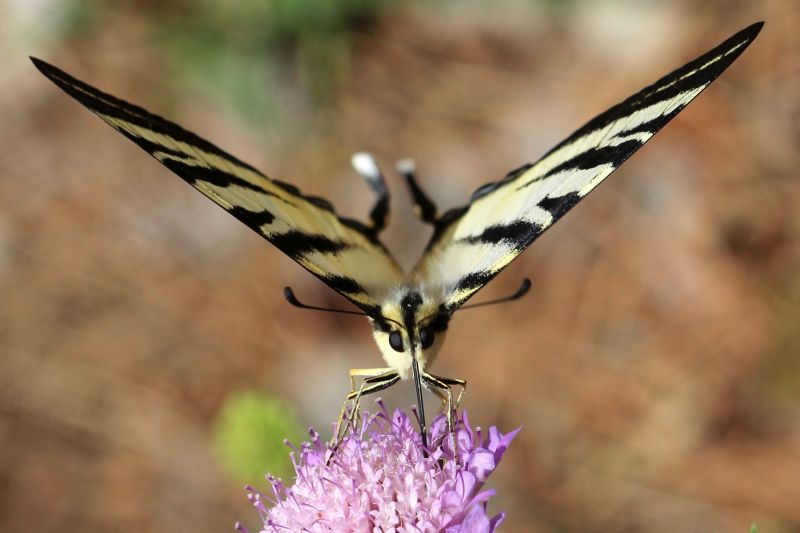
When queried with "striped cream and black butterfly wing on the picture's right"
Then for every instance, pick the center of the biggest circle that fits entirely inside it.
(472, 244)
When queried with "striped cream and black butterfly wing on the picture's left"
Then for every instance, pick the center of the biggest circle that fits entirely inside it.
(343, 253)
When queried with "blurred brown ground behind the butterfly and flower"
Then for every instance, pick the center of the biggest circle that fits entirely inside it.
(654, 366)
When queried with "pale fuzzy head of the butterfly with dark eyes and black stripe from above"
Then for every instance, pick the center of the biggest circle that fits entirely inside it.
(411, 326)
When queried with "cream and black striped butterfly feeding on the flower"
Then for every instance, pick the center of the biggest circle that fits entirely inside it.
(469, 246)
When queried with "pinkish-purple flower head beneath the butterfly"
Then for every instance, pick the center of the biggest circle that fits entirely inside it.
(380, 480)
